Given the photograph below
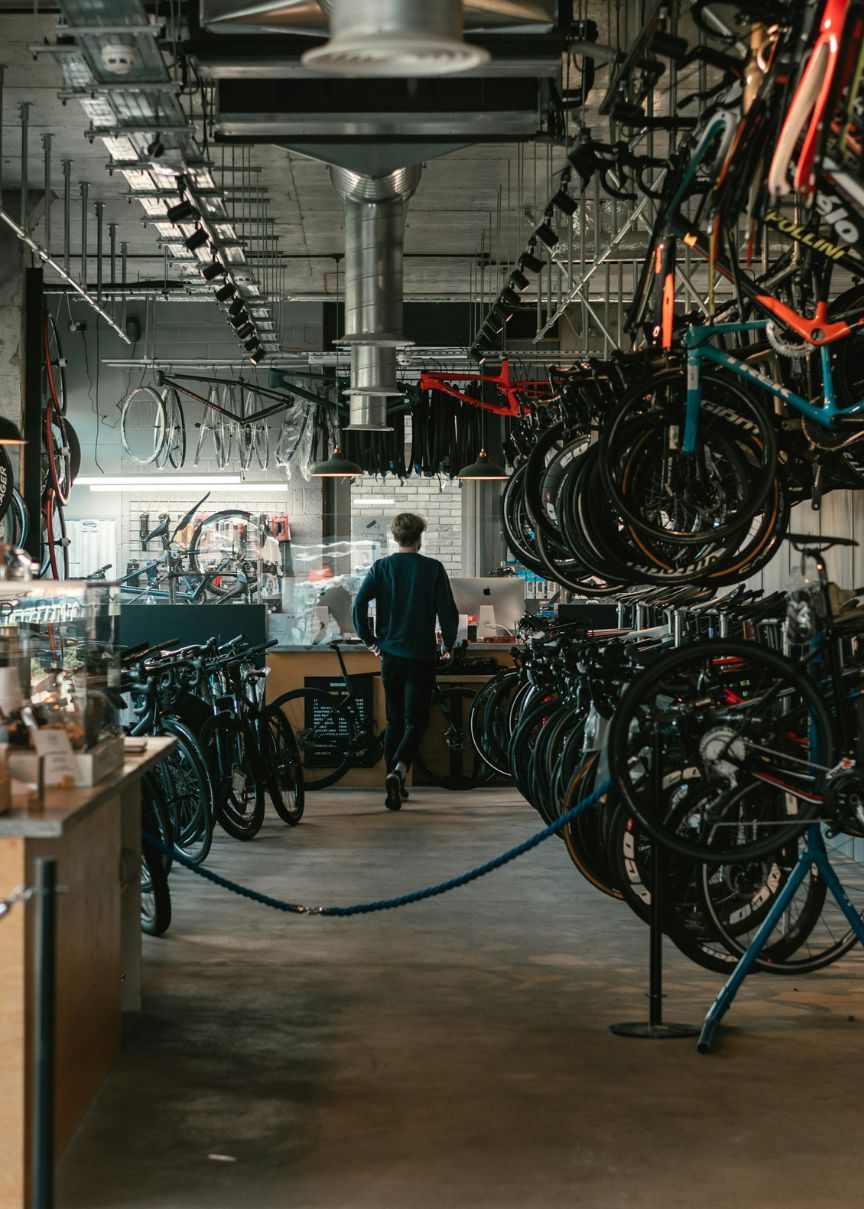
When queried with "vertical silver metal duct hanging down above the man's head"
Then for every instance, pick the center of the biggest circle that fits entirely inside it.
(375, 232)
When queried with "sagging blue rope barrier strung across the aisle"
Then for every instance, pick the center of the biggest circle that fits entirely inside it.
(416, 896)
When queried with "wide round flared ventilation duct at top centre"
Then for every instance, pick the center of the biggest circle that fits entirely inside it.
(396, 38)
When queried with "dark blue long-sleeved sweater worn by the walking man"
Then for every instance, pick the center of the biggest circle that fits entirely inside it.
(409, 592)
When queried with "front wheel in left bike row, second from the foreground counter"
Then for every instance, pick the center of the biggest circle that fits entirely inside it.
(189, 789)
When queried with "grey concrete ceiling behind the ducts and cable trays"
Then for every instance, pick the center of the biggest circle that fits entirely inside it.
(486, 196)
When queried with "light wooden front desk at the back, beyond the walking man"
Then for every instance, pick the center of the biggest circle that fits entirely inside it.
(291, 667)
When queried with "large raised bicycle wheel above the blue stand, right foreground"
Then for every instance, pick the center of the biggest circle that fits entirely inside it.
(735, 715)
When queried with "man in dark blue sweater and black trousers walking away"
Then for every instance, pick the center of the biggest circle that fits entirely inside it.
(410, 593)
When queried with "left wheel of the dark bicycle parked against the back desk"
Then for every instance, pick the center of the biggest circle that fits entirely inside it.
(327, 732)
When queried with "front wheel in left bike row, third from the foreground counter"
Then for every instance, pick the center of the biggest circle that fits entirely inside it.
(230, 751)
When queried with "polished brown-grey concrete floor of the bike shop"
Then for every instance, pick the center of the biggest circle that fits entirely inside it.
(456, 1055)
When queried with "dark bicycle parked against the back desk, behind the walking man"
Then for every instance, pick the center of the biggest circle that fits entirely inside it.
(335, 731)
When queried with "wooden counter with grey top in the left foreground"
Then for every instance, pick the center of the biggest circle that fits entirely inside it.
(95, 836)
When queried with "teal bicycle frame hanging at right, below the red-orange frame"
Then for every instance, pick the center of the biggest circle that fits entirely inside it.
(699, 350)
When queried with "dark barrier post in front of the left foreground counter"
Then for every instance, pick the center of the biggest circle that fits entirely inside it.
(44, 1072)
